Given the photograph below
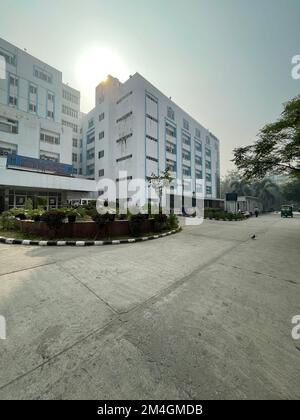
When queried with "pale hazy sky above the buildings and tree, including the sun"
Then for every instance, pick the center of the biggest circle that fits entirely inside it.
(226, 62)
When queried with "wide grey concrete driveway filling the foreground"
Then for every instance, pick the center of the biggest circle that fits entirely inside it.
(202, 314)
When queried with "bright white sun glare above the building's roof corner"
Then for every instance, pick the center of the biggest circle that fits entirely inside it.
(93, 67)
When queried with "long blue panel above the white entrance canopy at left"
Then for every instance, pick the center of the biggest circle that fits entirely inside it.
(38, 165)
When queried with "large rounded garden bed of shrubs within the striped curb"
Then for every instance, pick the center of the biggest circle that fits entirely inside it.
(81, 224)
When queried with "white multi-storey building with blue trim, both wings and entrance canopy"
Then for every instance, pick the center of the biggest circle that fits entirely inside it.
(49, 148)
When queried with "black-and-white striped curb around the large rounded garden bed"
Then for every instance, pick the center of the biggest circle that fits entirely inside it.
(11, 241)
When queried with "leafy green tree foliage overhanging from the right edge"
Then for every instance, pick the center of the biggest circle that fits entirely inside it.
(277, 148)
